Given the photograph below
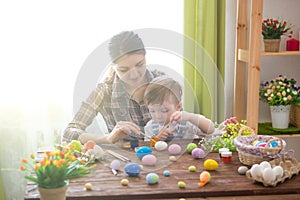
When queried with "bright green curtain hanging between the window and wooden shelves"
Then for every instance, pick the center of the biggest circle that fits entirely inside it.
(204, 52)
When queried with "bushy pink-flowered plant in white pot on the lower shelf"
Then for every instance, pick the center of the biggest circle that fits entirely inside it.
(279, 93)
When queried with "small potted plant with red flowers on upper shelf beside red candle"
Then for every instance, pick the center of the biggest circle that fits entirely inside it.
(272, 30)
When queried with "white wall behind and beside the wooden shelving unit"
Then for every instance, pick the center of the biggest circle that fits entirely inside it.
(270, 66)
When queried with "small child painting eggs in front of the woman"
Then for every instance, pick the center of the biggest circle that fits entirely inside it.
(163, 98)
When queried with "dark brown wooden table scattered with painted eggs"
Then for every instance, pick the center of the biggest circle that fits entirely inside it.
(225, 182)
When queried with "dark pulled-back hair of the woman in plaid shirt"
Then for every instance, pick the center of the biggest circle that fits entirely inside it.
(126, 42)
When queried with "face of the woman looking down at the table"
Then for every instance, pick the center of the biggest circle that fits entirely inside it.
(131, 68)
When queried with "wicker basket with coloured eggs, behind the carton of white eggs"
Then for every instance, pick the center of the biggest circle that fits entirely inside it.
(250, 155)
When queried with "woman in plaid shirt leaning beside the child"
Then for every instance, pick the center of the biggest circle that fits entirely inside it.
(119, 97)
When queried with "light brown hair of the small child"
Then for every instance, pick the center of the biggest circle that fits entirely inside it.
(161, 88)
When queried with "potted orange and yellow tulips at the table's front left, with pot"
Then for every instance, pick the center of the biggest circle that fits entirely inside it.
(52, 172)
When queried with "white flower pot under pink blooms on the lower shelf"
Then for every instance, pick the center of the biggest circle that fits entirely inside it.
(280, 116)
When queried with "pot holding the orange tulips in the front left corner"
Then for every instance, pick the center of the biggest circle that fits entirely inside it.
(53, 193)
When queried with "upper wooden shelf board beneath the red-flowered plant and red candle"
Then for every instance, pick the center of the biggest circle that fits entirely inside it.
(243, 55)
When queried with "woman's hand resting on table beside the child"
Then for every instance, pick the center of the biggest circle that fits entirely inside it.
(121, 130)
